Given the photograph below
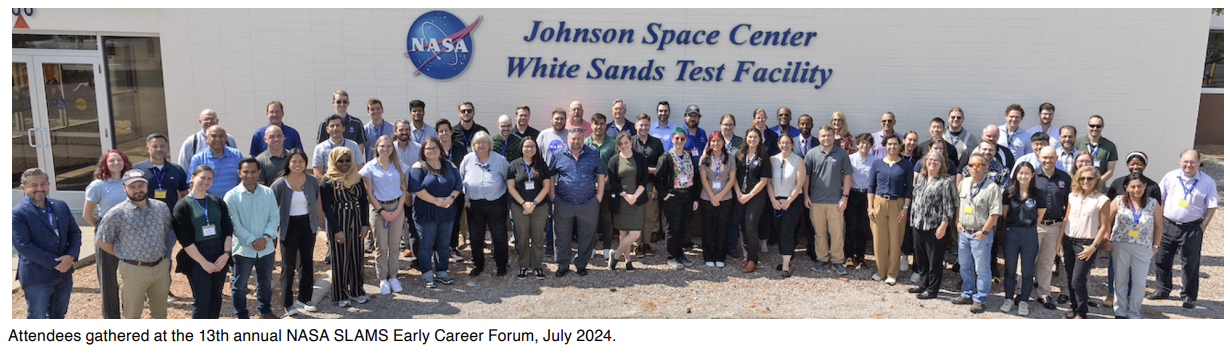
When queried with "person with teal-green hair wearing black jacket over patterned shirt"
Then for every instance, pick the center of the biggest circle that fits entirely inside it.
(677, 182)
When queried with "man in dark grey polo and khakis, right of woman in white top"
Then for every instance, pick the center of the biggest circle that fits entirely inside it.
(827, 190)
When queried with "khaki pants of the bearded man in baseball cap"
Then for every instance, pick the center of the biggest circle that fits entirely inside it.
(141, 284)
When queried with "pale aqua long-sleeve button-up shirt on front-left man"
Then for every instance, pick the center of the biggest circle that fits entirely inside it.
(254, 214)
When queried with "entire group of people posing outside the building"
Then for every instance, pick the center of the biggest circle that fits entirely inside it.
(613, 185)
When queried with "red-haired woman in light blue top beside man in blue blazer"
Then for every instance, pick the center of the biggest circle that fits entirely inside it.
(101, 195)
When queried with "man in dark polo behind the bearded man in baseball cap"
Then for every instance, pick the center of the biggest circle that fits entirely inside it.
(168, 182)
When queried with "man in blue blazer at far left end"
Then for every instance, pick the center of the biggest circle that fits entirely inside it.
(49, 241)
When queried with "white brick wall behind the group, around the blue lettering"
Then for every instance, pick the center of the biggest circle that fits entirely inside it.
(1141, 69)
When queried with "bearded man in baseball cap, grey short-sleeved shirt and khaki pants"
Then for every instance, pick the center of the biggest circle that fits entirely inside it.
(135, 233)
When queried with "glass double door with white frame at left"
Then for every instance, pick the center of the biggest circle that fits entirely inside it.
(61, 121)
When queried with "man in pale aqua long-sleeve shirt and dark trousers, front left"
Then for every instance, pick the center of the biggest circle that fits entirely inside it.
(254, 211)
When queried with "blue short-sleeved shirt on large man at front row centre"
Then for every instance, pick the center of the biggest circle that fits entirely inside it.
(576, 180)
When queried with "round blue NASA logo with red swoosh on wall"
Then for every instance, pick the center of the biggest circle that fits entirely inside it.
(440, 45)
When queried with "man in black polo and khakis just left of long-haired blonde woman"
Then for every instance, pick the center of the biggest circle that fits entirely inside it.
(1053, 185)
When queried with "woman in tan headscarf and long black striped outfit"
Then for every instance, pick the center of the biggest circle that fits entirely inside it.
(345, 201)
